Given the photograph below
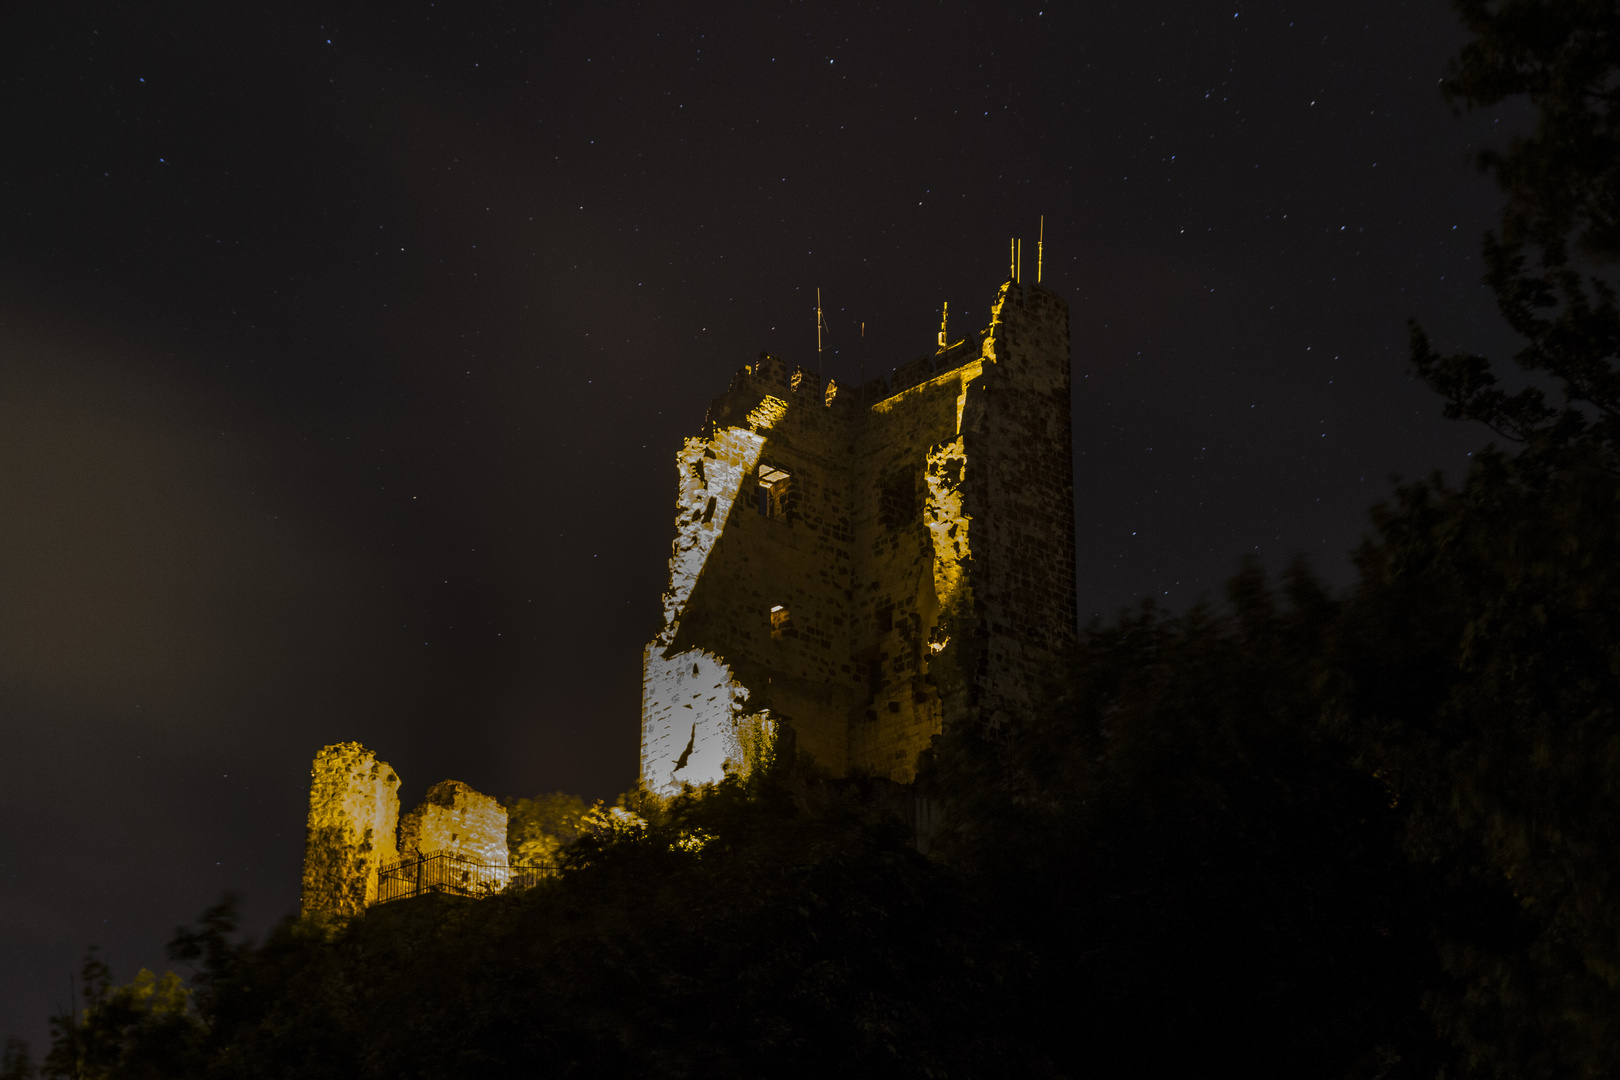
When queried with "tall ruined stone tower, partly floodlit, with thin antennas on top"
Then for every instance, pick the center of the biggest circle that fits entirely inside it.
(869, 566)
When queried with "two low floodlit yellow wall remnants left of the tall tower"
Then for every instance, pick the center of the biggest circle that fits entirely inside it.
(356, 830)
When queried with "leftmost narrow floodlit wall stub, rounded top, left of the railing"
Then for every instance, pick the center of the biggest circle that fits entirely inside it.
(354, 809)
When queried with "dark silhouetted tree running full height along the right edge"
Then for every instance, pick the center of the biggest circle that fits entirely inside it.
(1480, 653)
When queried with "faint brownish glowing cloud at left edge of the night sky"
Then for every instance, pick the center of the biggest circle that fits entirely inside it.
(153, 556)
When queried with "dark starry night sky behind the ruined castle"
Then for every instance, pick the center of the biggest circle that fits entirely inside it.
(344, 357)
